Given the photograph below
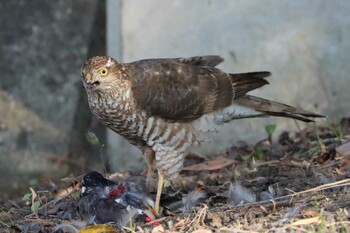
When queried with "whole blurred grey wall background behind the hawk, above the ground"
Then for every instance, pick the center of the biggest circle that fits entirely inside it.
(44, 113)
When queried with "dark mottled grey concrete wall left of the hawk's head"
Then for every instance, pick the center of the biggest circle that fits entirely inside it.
(42, 46)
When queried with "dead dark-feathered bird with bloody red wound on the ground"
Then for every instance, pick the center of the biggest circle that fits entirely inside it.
(103, 200)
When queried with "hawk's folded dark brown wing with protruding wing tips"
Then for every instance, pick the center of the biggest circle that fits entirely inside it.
(185, 89)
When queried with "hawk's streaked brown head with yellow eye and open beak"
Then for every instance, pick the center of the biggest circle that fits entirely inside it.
(100, 74)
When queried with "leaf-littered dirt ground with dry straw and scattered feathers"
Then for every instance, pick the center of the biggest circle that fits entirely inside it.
(297, 183)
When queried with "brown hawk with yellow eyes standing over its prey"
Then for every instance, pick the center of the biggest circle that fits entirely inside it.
(156, 104)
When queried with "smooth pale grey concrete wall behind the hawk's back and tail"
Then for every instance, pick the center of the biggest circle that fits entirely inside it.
(305, 44)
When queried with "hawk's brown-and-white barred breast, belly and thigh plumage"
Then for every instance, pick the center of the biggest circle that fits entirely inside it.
(169, 140)
